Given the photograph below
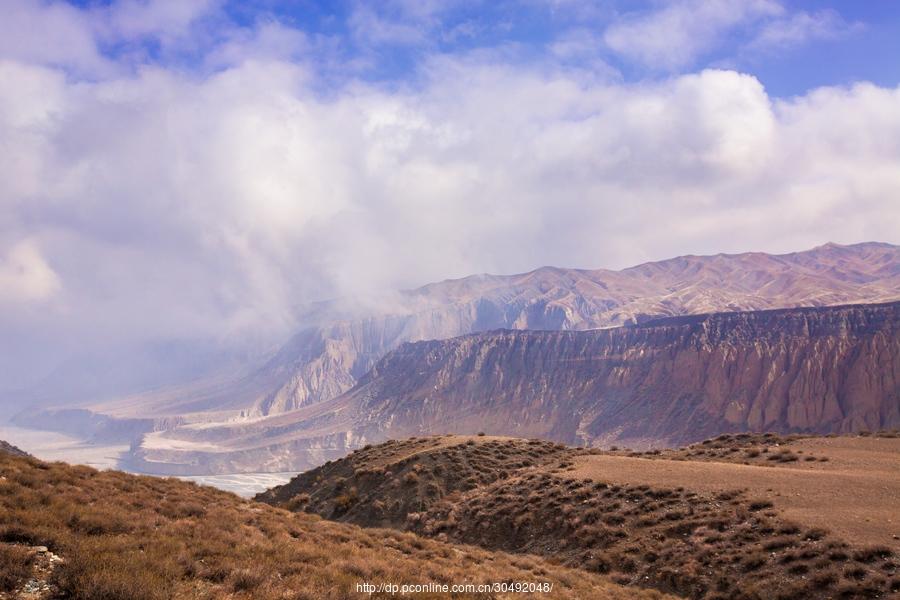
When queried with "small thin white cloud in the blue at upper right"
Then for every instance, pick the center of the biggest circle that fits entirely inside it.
(676, 34)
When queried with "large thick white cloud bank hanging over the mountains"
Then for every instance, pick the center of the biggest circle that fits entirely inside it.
(159, 203)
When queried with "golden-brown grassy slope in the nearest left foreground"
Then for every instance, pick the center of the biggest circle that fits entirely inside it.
(74, 532)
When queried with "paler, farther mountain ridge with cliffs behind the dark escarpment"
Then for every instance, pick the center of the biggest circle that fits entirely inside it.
(327, 359)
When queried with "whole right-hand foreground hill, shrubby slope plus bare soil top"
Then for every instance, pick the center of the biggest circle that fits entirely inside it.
(697, 522)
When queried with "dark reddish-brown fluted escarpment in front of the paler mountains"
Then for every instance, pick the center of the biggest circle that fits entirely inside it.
(665, 382)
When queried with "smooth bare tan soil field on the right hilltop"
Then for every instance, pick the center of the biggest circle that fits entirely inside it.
(855, 493)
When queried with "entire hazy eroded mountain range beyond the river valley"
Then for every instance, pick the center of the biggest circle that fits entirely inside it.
(350, 374)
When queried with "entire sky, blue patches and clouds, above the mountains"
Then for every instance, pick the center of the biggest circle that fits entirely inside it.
(193, 171)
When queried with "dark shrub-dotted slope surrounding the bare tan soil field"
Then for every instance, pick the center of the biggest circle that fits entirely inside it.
(701, 545)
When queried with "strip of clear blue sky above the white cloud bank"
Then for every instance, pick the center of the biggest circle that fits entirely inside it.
(816, 43)
